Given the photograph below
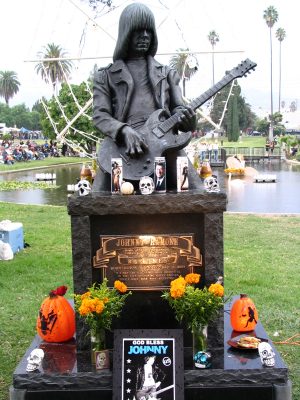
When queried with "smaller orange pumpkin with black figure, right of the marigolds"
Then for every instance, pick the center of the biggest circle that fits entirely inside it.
(243, 314)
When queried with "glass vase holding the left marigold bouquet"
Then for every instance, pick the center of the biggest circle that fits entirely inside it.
(99, 354)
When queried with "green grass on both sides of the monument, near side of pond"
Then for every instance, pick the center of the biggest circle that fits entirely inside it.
(261, 255)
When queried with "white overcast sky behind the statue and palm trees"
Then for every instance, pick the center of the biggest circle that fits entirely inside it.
(27, 26)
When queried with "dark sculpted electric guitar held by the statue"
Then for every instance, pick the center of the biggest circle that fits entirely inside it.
(160, 133)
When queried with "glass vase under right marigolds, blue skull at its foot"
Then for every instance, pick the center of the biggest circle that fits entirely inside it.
(201, 357)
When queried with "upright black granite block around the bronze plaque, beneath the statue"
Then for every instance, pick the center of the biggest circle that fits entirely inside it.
(195, 212)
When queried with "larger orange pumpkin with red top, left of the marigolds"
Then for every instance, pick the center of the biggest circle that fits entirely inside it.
(56, 319)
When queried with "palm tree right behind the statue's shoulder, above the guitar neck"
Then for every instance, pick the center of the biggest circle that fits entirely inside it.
(186, 65)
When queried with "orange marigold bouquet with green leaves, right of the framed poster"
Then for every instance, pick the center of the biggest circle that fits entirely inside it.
(192, 305)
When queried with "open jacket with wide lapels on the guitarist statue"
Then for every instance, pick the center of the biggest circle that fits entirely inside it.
(113, 89)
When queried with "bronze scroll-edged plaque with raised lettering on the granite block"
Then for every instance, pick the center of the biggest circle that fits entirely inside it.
(147, 261)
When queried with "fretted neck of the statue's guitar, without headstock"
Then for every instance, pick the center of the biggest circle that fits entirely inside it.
(171, 122)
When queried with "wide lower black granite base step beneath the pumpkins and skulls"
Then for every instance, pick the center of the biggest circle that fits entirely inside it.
(67, 373)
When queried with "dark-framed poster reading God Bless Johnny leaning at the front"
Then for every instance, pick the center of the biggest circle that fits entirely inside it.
(148, 364)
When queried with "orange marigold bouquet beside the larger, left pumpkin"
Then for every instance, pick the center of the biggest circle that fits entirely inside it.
(100, 304)
